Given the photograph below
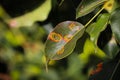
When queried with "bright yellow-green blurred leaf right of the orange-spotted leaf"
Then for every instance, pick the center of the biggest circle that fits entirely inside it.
(91, 53)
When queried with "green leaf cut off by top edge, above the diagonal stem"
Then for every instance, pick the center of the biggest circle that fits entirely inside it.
(87, 6)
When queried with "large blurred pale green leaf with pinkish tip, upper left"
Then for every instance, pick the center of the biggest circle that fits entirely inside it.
(39, 14)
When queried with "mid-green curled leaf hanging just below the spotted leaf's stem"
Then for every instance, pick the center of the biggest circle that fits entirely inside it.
(95, 28)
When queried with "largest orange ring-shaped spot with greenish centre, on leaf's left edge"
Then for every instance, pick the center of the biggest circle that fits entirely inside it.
(55, 37)
